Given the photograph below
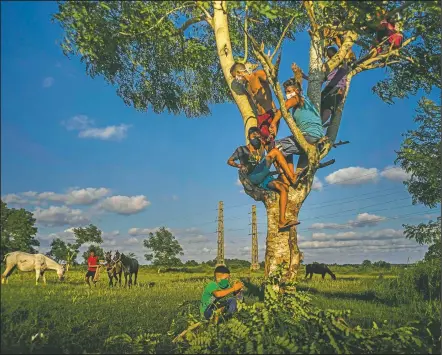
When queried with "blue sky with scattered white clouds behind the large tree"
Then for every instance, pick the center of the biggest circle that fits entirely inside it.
(80, 155)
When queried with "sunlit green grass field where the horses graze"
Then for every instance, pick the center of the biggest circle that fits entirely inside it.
(74, 318)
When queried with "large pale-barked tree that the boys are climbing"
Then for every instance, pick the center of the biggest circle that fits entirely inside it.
(176, 57)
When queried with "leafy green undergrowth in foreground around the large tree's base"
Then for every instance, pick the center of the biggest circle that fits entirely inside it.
(288, 323)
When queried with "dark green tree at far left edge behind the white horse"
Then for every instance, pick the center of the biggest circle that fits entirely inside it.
(17, 230)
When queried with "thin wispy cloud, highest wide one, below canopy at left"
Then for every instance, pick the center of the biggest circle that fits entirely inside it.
(87, 129)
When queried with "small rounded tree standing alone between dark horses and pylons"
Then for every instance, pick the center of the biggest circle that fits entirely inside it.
(165, 248)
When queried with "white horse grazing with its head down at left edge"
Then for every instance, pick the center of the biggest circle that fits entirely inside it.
(29, 262)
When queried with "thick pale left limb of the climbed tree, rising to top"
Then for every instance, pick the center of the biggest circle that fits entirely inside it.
(224, 48)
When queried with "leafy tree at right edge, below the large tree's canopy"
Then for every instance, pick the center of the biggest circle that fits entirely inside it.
(420, 155)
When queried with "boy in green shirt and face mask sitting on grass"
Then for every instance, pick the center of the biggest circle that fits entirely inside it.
(219, 294)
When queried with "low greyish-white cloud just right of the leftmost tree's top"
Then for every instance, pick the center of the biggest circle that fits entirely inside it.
(59, 216)
